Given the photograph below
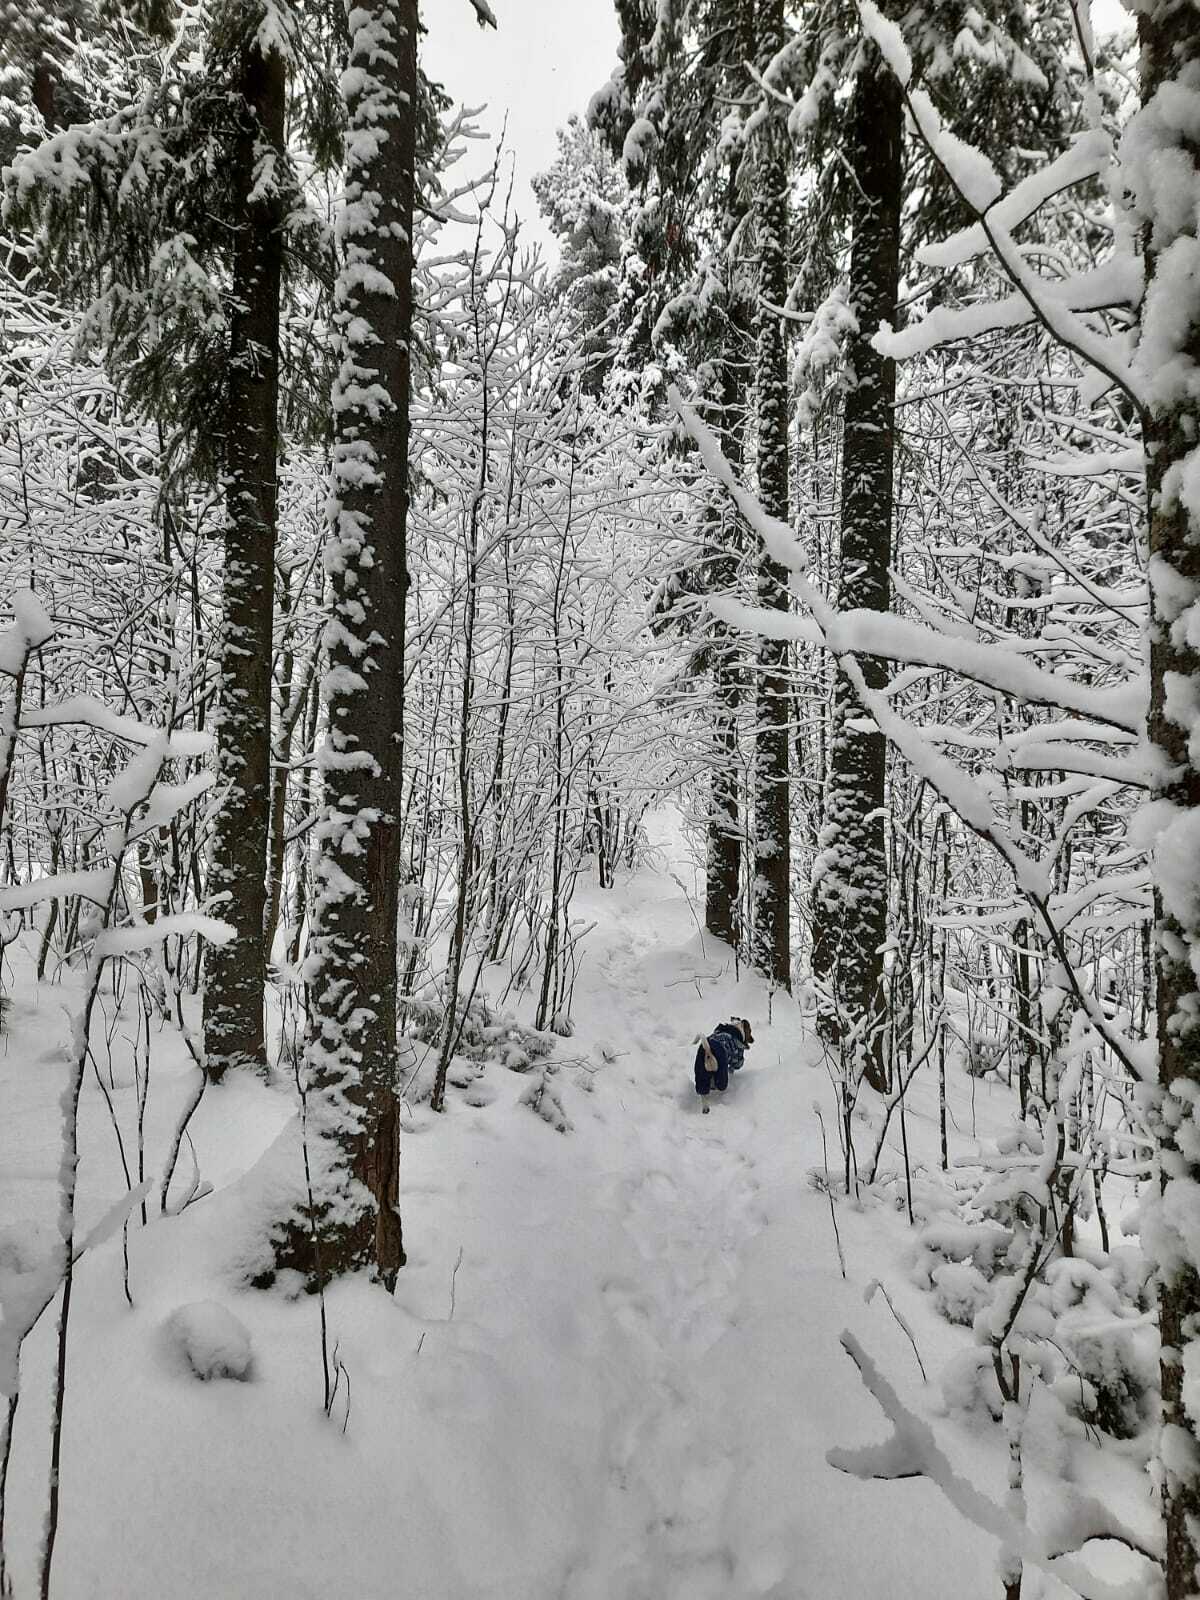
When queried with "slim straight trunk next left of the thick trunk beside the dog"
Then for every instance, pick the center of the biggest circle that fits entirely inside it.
(772, 780)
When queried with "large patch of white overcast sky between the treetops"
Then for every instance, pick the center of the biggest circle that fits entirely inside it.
(545, 62)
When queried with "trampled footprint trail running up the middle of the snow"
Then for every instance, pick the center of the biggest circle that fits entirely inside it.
(686, 1226)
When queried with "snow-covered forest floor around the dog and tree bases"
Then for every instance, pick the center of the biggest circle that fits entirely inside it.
(610, 1372)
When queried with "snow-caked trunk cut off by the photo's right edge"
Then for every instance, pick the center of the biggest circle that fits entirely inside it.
(1170, 42)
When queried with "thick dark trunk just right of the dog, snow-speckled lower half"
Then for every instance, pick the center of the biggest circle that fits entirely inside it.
(850, 881)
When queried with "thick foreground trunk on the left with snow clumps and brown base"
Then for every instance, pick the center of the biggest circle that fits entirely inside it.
(353, 962)
